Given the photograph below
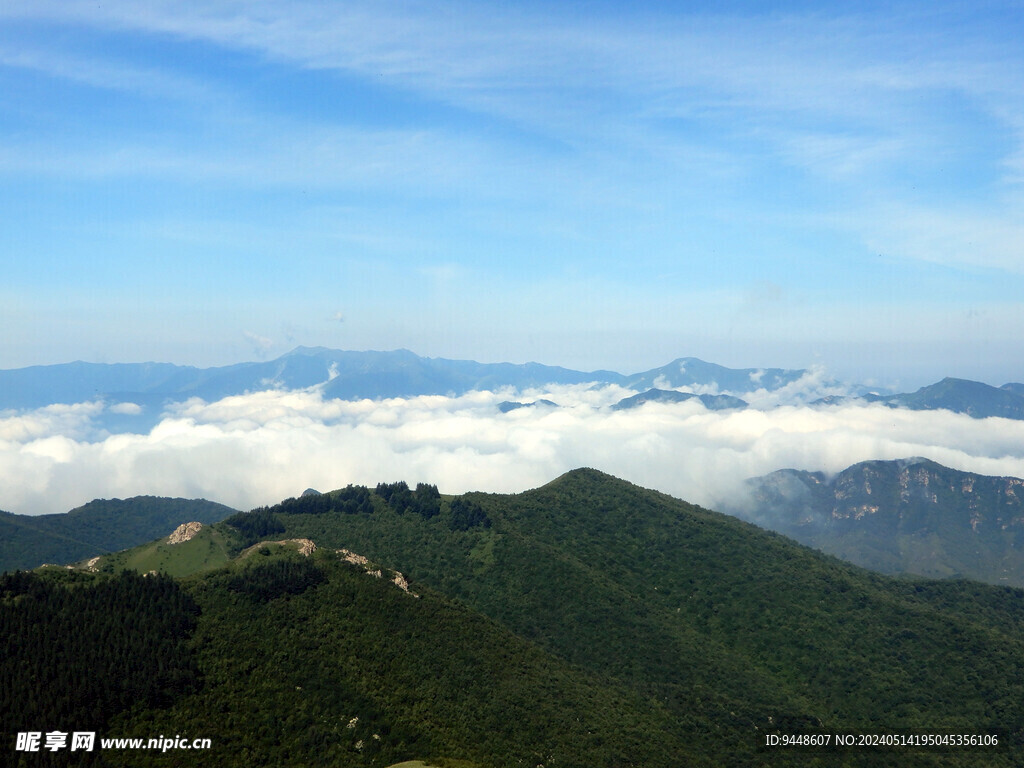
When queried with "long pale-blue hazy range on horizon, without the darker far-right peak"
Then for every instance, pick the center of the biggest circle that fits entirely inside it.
(346, 375)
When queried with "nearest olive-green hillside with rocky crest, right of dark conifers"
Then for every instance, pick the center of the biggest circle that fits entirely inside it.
(329, 666)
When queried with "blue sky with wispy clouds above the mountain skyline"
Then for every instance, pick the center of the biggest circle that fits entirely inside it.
(575, 184)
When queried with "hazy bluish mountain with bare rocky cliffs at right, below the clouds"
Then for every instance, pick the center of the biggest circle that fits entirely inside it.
(910, 517)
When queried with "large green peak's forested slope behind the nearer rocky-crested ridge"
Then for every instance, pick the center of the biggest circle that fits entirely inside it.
(705, 613)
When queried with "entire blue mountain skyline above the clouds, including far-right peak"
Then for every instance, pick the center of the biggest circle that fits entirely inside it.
(137, 394)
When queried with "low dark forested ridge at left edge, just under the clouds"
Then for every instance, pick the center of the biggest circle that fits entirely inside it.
(99, 528)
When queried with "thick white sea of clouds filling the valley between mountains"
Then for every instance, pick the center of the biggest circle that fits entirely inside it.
(261, 448)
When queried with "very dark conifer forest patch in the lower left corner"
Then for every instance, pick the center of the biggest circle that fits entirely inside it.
(80, 650)
